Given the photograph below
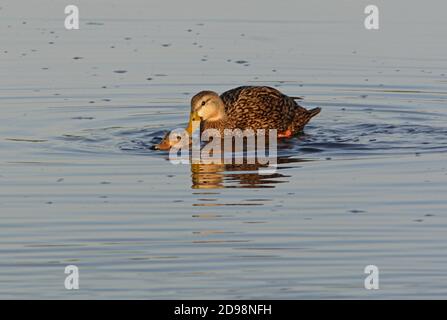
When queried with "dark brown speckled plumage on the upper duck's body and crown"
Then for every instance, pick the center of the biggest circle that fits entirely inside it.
(259, 107)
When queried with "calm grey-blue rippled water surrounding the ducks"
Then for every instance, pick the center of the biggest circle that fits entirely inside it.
(79, 184)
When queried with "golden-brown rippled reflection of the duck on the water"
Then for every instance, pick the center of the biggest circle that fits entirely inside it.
(215, 176)
